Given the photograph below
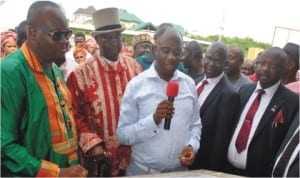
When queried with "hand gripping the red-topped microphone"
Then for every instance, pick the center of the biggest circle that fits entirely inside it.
(164, 110)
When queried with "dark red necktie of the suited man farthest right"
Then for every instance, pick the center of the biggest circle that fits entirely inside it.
(244, 132)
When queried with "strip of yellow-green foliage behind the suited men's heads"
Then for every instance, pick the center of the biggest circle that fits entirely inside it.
(244, 43)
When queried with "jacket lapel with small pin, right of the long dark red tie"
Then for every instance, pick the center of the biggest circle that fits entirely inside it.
(271, 110)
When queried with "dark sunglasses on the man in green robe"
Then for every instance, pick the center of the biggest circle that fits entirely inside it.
(55, 35)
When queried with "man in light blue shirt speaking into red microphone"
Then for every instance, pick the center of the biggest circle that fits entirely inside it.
(156, 148)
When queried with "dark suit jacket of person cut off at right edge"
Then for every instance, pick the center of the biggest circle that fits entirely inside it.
(293, 170)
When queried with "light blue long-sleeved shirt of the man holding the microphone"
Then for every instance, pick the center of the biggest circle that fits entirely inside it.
(152, 146)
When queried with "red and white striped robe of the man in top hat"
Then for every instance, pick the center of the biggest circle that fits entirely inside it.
(97, 87)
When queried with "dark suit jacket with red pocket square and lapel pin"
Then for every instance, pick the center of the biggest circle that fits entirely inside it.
(267, 138)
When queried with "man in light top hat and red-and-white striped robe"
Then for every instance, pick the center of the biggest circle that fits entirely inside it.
(97, 87)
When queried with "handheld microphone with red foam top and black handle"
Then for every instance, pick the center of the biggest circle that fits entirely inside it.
(172, 92)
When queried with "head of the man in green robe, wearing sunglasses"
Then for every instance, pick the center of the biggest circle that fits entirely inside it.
(48, 31)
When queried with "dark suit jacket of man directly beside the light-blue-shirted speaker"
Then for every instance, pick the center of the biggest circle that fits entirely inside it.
(218, 113)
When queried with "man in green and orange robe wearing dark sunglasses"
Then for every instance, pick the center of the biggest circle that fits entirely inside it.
(38, 133)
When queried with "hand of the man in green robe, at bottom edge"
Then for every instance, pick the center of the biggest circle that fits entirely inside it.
(73, 171)
